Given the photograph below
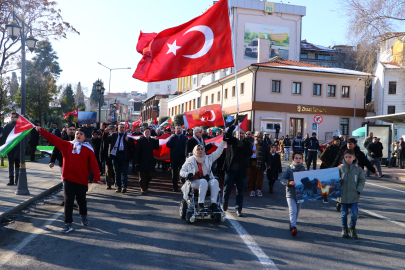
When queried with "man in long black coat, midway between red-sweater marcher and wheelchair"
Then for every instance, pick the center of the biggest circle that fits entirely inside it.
(145, 160)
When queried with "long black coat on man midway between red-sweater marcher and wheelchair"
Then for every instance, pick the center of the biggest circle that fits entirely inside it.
(144, 154)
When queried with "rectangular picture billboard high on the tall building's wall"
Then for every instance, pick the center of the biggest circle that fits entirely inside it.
(279, 40)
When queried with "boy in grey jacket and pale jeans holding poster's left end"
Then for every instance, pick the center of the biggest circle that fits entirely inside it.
(287, 179)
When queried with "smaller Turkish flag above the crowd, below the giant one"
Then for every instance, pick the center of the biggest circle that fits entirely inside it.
(210, 116)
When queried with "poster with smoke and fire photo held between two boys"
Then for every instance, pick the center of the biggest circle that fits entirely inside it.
(315, 185)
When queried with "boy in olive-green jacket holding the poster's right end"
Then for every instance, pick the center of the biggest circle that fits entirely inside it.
(352, 181)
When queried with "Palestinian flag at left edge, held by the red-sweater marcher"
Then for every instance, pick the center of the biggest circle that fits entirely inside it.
(13, 133)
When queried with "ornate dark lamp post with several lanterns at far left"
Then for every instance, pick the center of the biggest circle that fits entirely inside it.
(14, 30)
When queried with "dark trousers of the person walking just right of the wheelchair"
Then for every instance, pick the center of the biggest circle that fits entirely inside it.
(237, 177)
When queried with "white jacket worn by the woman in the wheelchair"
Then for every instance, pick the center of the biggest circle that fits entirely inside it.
(189, 167)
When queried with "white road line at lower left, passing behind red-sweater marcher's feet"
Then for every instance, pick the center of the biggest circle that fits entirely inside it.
(5, 258)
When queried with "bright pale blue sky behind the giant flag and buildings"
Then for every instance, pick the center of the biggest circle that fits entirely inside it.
(109, 32)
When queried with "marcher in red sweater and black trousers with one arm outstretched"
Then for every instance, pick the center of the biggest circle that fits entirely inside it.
(79, 159)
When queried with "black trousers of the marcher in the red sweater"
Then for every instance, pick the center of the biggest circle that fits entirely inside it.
(71, 191)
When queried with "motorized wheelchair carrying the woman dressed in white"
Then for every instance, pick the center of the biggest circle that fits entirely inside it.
(188, 208)
